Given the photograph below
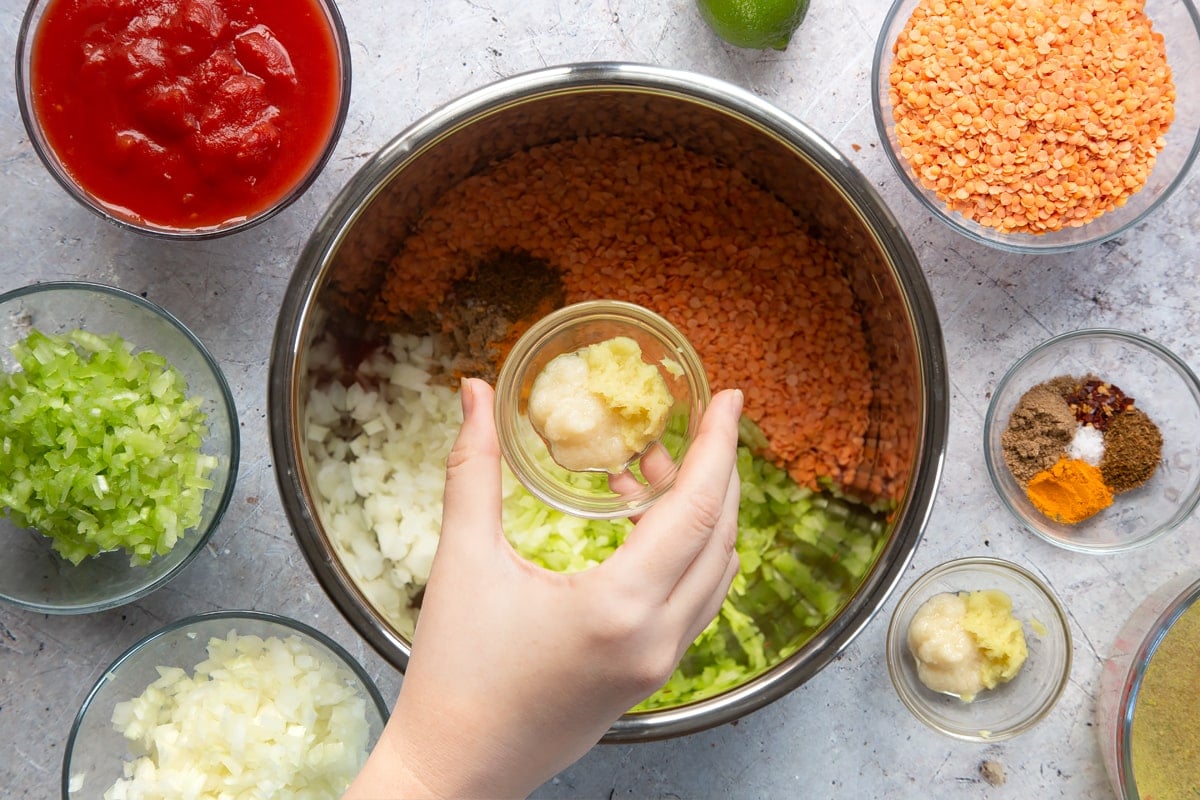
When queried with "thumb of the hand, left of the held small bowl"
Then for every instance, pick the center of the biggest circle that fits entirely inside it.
(472, 501)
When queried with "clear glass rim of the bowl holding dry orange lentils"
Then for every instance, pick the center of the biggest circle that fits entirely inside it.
(976, 232)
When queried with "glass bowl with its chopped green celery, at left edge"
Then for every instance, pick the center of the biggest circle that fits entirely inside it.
(121, 442)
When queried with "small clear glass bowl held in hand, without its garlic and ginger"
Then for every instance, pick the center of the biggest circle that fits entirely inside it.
(571, 329)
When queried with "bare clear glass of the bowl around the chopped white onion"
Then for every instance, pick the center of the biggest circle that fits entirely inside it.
(97, 751)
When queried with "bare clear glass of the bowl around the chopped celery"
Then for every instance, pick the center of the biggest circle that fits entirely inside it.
(32, 574)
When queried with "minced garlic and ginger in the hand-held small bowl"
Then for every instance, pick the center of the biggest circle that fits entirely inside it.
(599, 407)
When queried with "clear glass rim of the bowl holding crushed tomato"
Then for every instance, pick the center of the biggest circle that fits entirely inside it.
(26, 39)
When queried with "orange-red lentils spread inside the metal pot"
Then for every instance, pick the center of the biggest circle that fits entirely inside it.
(766, 305)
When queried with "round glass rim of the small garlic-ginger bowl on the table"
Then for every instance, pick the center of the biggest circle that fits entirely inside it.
(895, 649)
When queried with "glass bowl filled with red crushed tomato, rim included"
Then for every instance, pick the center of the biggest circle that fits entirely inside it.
(184, 121)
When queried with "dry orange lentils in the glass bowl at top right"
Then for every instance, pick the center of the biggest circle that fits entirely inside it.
(1031, 116)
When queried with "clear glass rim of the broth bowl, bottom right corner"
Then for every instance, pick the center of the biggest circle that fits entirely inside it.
(1124, 676)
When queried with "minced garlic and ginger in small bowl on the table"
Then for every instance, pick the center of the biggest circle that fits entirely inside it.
(965, 642)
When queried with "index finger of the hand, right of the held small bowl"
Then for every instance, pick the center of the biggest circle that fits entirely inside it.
(670, 537)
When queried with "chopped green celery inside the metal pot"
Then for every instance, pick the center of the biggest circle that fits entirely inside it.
(803, 554)
